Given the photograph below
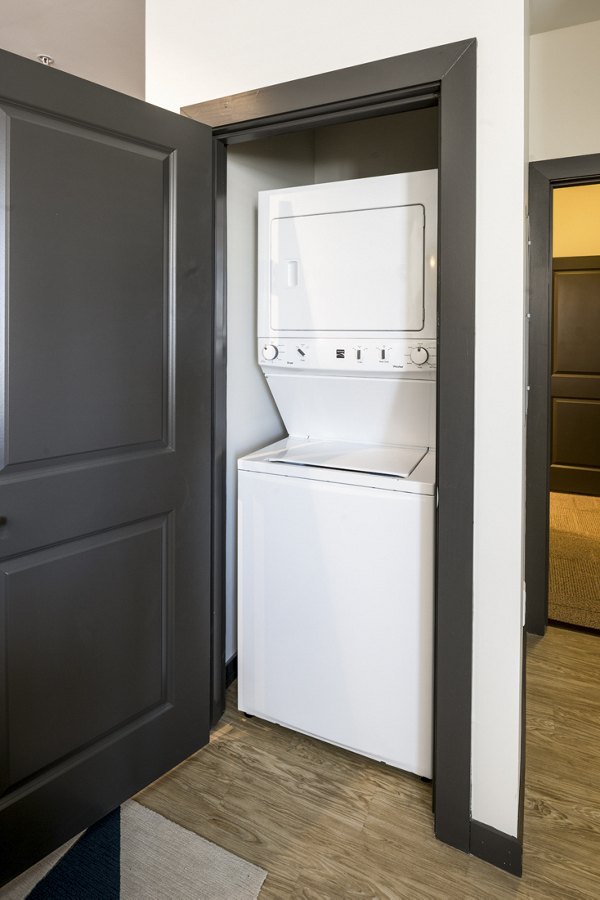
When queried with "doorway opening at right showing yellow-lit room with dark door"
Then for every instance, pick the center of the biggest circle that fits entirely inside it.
(574, 518)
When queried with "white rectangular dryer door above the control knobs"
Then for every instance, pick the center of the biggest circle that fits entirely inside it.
(325, 266)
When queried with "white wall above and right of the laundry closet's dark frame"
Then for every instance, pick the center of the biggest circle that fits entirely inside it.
(196, 52)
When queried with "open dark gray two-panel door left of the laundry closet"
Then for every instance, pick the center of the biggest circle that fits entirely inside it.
(105, 451)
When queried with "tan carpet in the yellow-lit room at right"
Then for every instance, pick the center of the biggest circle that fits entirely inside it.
(574, 572)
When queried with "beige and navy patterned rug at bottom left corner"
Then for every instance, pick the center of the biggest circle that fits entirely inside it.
(136, 854)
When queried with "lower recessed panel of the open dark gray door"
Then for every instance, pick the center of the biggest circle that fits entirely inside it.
(39, 663)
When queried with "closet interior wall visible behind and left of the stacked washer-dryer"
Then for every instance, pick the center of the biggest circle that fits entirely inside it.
(403, 142)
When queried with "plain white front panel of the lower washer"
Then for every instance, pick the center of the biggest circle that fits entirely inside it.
(336, 611)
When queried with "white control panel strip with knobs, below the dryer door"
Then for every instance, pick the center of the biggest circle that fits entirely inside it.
(393, 356)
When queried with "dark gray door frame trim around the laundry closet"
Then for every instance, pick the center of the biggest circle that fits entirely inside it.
(447, 76)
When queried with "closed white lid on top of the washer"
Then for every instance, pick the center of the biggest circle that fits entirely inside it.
(370, 458)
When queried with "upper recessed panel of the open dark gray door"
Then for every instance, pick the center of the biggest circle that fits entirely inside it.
(106, 387)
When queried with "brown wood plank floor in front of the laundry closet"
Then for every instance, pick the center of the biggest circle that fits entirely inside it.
(325, 823)
